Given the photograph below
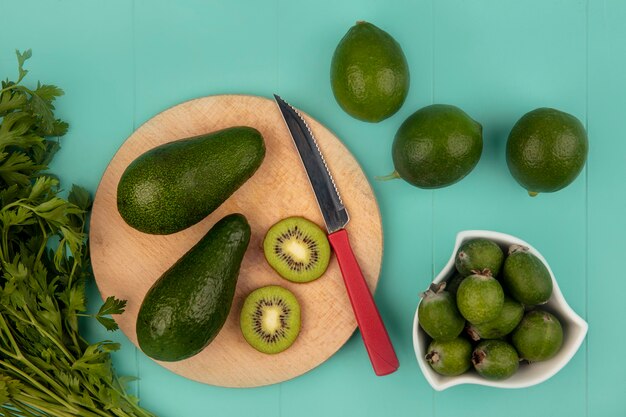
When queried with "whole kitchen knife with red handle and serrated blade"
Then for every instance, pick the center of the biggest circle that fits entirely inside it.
(375, 337)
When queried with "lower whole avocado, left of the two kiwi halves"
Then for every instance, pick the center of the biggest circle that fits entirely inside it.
(187, 306)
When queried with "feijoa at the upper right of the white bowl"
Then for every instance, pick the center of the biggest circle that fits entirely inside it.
(525, 277)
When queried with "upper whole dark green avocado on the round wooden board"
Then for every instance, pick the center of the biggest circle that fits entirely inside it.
(175, 185)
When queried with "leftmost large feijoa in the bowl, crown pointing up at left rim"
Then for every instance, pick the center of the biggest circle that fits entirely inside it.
(438, 315)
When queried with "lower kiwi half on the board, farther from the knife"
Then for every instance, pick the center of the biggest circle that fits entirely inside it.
(270, 319)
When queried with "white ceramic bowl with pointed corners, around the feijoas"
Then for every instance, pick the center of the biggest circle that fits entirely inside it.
(574, 329)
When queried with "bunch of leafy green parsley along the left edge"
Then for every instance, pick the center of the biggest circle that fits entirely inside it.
(46, 367)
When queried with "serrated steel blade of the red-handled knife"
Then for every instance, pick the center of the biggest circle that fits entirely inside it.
(328, 198)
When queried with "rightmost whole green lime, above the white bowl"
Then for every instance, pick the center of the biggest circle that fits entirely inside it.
(546, 150)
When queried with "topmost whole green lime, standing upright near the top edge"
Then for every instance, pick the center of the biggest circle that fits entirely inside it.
(369, 74)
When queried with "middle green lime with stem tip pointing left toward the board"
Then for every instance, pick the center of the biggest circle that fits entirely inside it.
(436, 146)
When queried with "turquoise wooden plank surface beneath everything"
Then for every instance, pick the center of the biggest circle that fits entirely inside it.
(122, 61)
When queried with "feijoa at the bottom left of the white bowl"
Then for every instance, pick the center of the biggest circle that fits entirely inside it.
(450, 358)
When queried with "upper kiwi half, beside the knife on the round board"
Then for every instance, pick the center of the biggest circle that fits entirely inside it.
(297, 249)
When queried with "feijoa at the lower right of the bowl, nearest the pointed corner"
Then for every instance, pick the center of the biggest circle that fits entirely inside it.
(538, 337)
